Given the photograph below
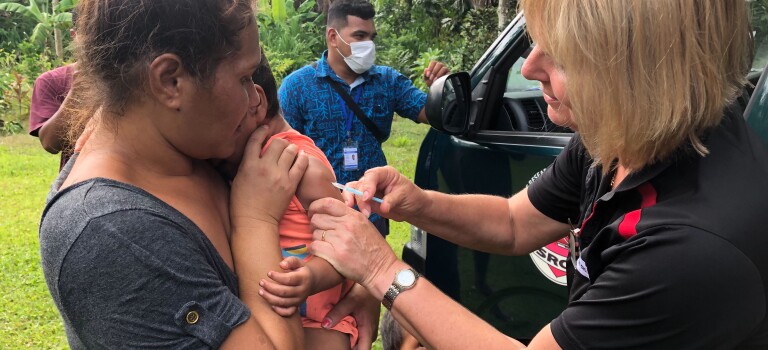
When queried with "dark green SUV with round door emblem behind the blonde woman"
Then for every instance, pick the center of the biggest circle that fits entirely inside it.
(491, 135)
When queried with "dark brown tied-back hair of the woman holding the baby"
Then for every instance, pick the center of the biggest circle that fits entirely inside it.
(117, 40)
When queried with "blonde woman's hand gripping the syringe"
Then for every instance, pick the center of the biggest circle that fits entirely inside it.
(402, 199)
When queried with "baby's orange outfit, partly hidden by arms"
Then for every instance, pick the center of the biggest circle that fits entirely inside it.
(295, 238)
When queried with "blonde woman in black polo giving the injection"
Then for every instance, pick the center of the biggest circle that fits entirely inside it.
(663, 182)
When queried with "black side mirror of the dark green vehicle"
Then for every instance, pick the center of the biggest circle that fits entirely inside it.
(447, 107)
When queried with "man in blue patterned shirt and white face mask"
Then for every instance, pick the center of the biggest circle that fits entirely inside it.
(312, 106)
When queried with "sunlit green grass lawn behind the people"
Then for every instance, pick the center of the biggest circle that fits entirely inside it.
(28, 318)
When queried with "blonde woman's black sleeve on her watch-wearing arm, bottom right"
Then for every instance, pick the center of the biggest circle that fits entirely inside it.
(678, 288)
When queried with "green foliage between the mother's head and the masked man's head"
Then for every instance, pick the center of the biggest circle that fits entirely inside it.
(293, 42)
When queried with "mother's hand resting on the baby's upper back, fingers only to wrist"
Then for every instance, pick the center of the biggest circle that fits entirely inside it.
(265, 183)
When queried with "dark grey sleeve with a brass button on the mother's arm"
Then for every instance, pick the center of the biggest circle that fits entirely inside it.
(135, 279)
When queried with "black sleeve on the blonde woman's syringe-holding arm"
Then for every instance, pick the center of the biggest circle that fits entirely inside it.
(556, 193)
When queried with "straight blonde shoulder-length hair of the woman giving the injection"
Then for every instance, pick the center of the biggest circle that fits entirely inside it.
(645, 76)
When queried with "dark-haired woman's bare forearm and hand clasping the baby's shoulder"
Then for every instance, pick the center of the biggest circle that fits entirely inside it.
(260, 194)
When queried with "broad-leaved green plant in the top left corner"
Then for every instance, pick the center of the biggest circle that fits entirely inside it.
(49, 22)
